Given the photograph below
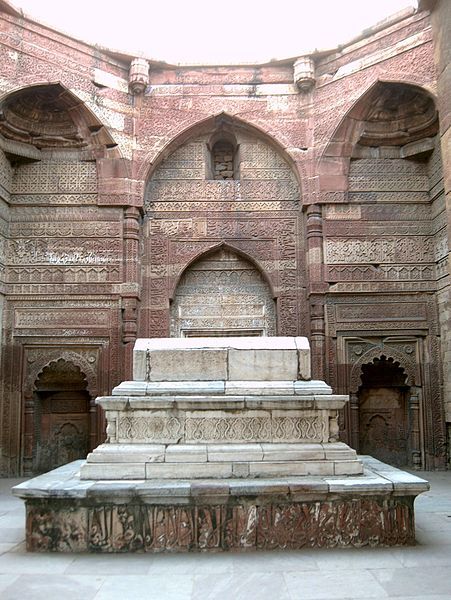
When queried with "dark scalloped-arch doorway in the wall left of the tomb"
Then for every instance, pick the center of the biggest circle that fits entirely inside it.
(61, 416)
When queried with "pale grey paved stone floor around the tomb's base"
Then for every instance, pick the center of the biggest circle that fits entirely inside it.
(410, 573)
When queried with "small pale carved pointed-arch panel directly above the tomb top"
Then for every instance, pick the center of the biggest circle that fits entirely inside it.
(222, 294)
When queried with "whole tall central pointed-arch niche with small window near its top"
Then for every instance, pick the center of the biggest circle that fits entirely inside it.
(256, 213)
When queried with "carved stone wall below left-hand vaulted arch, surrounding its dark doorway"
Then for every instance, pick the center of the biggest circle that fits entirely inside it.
(62, 255)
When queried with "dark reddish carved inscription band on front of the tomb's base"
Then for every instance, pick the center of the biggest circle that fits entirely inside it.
(153, 528)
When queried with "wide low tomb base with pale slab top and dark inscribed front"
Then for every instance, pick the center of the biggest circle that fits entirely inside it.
(69, 514)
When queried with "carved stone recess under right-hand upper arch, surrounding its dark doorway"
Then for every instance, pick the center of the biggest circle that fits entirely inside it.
(389, 237)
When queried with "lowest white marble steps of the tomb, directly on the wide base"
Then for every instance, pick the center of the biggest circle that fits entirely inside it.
(185, 461)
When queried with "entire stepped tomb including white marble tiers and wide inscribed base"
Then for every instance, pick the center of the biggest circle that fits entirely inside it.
(220, 444)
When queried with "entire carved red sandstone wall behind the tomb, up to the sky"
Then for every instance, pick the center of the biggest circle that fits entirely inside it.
(108, 204)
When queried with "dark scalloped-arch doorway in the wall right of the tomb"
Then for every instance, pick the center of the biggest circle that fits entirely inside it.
(385, 422)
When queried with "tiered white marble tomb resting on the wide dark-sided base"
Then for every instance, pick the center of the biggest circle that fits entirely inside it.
(221, 408)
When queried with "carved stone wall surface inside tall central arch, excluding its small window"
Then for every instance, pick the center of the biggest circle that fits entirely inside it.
(258, 214)
